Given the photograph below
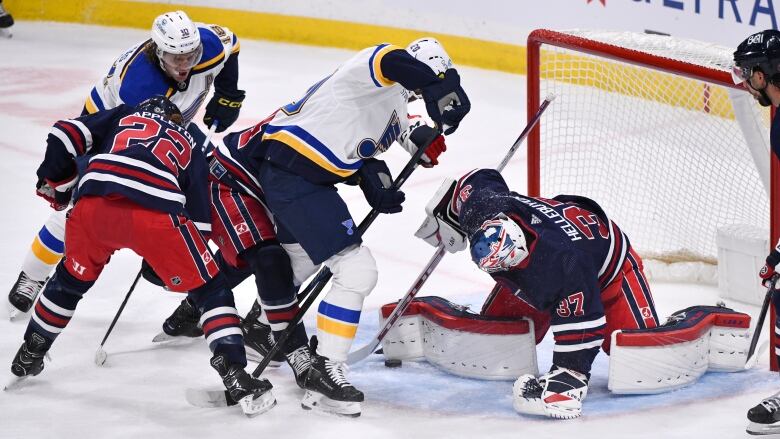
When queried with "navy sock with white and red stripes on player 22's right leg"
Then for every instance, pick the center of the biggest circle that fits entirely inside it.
(219, 320)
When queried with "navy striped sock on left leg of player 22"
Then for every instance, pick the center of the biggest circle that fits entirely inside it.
(56, 305)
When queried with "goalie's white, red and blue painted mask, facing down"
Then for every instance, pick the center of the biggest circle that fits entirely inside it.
(498, 245)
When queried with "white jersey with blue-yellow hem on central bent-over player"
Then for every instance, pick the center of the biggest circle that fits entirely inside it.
(353, 114)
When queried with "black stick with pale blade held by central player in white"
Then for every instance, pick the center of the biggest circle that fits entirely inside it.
(221, 398)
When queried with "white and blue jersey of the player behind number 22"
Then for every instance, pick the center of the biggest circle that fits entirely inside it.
(133, 77)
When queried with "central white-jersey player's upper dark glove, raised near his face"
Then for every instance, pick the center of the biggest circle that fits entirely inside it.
(446, 101)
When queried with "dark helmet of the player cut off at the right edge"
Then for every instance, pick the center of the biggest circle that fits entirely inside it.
(760, 50)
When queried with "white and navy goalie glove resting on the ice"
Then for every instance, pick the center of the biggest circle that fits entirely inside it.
(557, 394)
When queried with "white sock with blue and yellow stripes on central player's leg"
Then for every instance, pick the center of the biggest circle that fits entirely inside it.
(354, 276)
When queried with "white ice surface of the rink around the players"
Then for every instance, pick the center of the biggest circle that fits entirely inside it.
(45, 74)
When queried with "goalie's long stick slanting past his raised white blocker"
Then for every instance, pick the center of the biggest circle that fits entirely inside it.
(404, 303)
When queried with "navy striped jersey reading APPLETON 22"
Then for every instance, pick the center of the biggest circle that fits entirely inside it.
(136, 155)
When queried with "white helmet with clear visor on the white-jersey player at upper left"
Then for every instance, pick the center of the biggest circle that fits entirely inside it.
(178, 43)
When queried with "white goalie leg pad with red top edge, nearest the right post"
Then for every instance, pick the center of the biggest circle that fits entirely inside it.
(703, 338)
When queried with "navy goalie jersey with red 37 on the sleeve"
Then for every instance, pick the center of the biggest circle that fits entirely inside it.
(575, 251)
